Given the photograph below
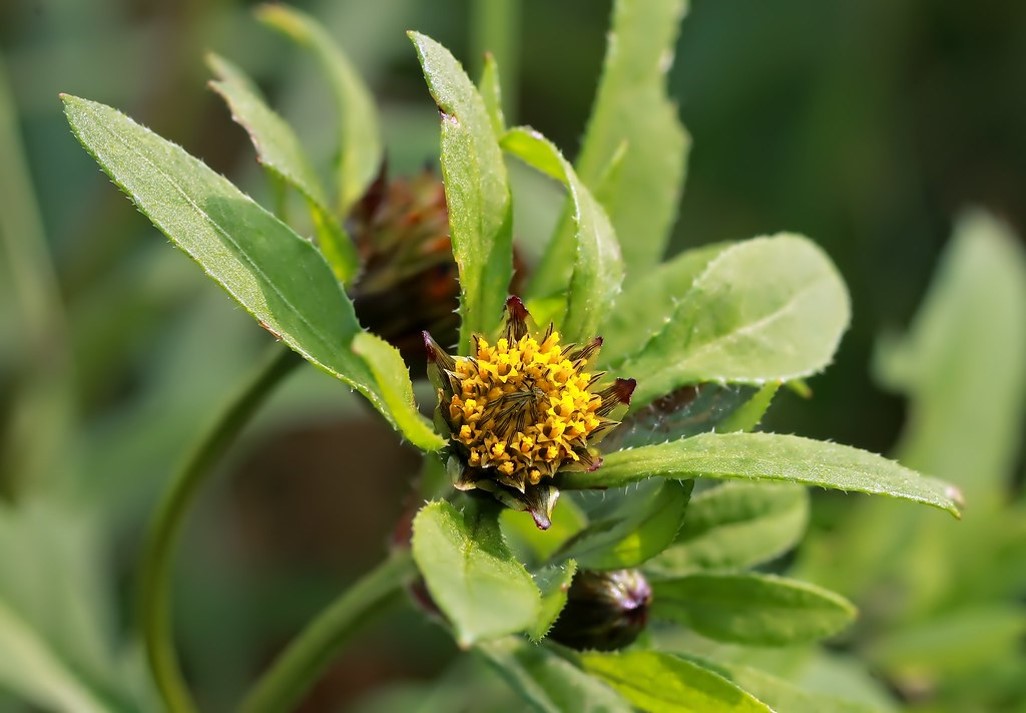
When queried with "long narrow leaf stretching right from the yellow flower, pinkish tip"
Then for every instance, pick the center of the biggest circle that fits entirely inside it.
(769, 457)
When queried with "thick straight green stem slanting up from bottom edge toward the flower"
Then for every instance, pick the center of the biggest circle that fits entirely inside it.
(318, 646)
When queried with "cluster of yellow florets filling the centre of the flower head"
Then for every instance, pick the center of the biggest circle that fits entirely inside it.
(523, 408)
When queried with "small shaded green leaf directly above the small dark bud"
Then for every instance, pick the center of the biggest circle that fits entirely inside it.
(632, 531)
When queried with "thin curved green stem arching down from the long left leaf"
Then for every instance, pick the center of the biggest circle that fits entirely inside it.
(160, 548)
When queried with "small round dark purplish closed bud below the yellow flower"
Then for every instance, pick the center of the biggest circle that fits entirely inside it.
(606, 611)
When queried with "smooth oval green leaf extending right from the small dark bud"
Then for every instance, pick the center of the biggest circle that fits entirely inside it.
(756, 610)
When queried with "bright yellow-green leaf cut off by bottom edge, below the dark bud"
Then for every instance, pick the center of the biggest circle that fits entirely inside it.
(663, 683)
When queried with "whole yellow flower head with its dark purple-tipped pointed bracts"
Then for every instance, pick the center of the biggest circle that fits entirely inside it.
(521, 411)
